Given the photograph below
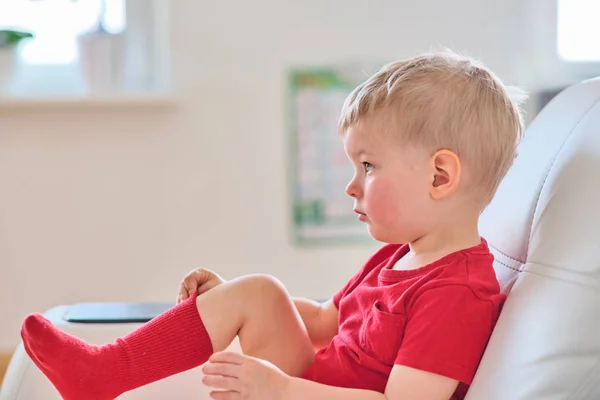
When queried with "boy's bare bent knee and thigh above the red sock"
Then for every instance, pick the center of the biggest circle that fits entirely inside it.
(260, 312)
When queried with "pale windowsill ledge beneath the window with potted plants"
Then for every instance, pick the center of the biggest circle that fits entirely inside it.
(76, 101)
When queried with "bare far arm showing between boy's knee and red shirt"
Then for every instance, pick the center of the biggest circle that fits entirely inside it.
(320, 319)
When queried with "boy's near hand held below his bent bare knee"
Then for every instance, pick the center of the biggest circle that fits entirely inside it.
(238, 377)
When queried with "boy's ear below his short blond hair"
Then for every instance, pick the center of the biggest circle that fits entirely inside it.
(446, 169)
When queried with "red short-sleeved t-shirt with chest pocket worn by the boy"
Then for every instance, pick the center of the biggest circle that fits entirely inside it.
(437, 318)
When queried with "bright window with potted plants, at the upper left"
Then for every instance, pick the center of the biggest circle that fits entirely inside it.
(84, 48)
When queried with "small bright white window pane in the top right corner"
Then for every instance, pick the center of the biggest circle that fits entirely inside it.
(578, 30)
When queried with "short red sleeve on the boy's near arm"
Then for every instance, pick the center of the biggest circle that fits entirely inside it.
(446, 332)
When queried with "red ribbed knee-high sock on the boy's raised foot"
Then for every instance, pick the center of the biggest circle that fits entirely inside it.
(171, 343)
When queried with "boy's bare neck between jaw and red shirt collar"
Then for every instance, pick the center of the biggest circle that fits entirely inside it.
(446, 239)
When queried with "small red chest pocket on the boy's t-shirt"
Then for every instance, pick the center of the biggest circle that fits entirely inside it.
(381, 334)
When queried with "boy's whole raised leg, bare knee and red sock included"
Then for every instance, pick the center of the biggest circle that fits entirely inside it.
(256, 308)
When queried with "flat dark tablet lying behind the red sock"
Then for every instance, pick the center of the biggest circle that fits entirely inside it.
(107, 313)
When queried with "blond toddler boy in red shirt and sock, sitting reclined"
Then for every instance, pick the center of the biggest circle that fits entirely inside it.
(430, 138)
